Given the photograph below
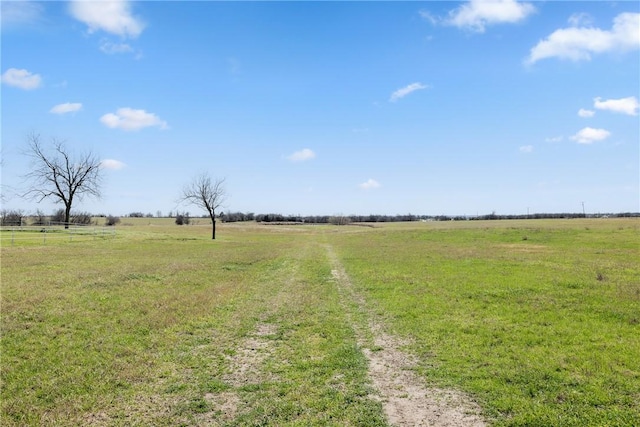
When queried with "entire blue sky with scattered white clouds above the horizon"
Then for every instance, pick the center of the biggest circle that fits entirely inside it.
(325, 108)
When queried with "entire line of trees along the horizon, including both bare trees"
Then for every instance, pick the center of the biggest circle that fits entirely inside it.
(58, 175)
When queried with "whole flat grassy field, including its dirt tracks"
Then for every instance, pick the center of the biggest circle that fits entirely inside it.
(469, 323)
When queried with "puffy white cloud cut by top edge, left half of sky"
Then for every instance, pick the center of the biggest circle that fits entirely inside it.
(112, 16)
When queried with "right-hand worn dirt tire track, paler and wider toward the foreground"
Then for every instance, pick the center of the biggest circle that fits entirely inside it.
(405, 399)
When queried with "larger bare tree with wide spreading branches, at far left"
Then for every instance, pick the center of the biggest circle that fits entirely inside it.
(58, 176)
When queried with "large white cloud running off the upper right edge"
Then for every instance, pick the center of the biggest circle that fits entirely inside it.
(579, 43)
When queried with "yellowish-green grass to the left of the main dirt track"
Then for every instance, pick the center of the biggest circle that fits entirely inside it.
(146, 329)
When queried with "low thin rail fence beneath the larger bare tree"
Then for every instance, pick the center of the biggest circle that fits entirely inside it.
(44, 233)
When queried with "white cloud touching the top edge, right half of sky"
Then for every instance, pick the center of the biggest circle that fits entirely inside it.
(477, 14)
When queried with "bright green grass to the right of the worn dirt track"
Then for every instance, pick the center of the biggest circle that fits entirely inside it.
(539, 320)
